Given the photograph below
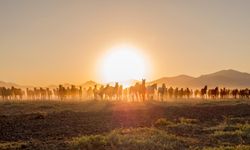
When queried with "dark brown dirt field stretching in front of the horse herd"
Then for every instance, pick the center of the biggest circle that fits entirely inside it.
(55, 124)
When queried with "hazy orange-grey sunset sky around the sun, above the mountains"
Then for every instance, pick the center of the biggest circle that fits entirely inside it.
(57, 41)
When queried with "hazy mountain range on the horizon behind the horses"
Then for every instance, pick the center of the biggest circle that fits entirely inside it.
(224, 78)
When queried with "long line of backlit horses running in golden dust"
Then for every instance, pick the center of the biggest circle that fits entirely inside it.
(138, 92)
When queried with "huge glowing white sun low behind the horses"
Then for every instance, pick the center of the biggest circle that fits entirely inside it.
(122, 64)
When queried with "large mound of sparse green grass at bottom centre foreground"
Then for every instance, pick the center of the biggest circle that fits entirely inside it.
(136, 138)
